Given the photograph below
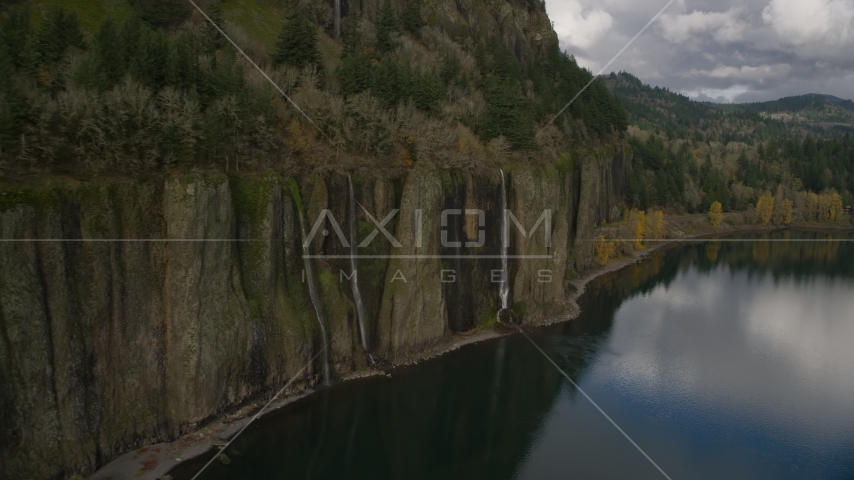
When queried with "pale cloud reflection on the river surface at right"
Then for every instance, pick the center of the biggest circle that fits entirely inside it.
(742, 343)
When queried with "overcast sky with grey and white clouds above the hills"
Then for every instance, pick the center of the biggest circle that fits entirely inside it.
(723, 50)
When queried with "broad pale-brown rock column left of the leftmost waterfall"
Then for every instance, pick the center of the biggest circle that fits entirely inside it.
(207, 338)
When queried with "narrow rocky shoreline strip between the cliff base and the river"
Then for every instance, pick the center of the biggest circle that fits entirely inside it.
(153, 462)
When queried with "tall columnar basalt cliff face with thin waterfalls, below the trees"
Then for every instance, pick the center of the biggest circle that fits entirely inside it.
(189, 296)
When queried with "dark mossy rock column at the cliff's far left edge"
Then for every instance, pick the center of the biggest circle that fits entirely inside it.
(29, 424)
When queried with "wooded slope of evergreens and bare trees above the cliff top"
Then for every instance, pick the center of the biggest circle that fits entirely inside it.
(145, 86)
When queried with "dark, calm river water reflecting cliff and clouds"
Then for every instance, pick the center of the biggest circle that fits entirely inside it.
(721, 360)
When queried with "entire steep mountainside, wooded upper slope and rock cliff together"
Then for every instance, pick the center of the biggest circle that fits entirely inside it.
(137, 121)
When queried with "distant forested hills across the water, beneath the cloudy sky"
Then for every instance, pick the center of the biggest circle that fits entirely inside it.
(688, 155)
